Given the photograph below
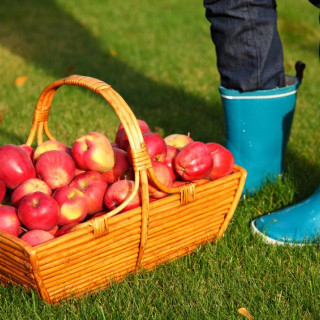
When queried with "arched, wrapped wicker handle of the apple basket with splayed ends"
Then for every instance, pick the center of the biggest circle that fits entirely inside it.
(140, 156)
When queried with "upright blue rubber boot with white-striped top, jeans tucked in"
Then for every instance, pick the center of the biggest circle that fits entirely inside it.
(258, 126)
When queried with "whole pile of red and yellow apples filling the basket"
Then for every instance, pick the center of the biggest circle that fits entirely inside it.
(48, 190)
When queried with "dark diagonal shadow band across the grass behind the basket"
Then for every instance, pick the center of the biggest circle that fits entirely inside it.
(51, 39)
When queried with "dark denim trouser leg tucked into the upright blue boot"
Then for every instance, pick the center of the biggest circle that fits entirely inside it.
(248, 47)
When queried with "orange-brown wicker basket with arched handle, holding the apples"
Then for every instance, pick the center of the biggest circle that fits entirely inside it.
(109, 247)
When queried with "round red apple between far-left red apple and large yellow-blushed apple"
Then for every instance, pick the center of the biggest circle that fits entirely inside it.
(56, 168)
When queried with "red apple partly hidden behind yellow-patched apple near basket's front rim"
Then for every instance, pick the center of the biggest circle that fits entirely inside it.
(92, 184)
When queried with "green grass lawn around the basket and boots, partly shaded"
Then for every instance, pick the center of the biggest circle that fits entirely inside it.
(158, 55)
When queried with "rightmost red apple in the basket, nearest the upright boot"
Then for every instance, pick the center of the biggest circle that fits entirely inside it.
(223, 160)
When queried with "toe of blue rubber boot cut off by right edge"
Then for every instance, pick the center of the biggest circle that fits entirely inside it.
(298, 224)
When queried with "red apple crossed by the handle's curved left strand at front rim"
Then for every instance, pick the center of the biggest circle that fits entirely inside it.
(118, 192)
